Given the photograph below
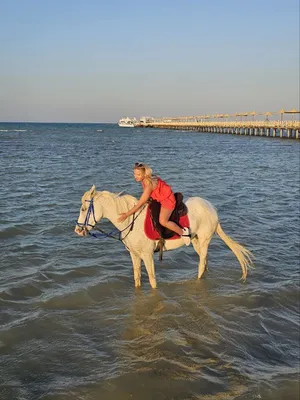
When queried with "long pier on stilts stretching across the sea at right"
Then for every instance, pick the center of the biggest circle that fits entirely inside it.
(220, 124)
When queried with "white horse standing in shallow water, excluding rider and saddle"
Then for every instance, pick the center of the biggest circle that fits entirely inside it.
(203, 224)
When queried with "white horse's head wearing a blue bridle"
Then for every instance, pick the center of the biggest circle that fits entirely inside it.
(87, 217)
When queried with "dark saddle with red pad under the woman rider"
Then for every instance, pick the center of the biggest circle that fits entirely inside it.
(176, 216)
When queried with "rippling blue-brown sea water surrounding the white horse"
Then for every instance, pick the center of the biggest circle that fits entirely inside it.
(72, 324)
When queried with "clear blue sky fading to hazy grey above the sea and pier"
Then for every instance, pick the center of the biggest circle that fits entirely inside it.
(99, 60)
